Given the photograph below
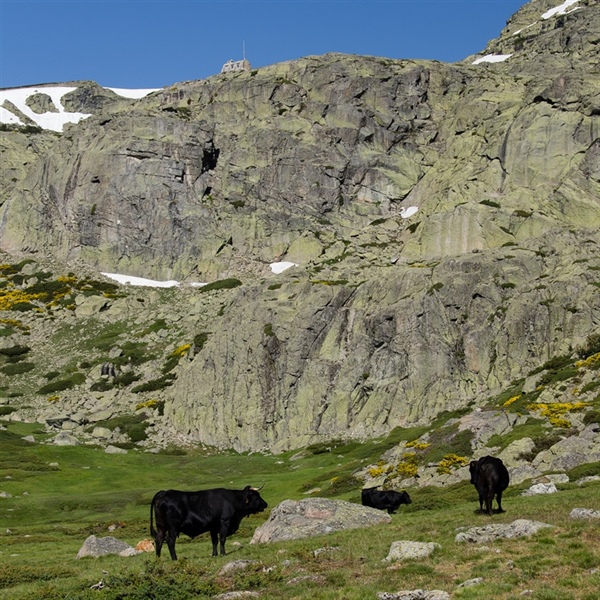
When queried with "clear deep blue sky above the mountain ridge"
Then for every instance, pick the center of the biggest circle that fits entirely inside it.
(149, 44)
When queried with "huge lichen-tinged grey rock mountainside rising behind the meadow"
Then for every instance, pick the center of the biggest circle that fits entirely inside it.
(355, 243)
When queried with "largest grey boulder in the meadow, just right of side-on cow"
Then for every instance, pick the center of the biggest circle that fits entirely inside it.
(293, 519)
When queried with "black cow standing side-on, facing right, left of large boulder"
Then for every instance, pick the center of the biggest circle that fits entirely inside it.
(219, 511)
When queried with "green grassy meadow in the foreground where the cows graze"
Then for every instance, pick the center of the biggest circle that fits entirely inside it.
(52, 509)
